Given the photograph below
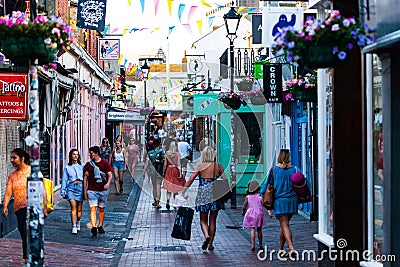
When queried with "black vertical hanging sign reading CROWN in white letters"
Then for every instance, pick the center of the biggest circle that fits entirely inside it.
(272, 83)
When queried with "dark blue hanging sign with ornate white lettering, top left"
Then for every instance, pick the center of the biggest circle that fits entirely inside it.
(91, 14)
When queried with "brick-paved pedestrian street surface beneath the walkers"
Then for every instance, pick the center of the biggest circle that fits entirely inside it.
(137, 234)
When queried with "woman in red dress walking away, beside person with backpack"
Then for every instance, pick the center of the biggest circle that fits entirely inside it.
(173, 180)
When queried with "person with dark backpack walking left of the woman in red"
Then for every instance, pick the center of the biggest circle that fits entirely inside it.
(155, 163)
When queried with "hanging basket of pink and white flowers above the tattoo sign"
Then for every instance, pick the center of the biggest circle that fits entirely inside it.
(23, 40)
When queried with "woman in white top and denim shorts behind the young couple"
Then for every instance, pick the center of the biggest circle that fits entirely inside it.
(118, 163)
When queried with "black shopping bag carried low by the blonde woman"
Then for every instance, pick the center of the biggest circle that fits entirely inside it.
(183, 223)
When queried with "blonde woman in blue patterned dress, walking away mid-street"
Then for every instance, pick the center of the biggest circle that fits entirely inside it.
(208, 170)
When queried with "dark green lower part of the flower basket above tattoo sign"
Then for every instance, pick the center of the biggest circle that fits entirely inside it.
(20, 49)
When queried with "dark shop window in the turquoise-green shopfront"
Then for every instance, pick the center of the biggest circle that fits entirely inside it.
(249, 143)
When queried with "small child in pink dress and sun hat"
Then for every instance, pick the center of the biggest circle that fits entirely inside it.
(253, 212)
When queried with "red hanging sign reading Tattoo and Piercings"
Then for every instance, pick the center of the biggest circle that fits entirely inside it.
(13, 96)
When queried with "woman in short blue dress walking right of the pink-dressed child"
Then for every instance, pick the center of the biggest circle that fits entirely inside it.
(285, 198)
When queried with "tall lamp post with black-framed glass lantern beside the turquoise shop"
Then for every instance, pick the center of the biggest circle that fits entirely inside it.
(232, 19)
